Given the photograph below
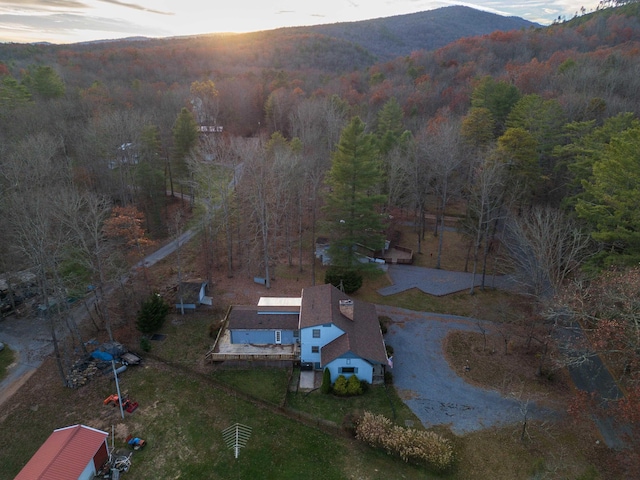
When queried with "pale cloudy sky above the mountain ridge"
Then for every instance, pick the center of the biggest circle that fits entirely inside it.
(68, 21)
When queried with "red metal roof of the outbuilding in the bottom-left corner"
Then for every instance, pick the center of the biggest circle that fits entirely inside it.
(64, 455)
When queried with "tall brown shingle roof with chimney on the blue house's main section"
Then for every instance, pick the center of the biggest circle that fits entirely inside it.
(362, 337)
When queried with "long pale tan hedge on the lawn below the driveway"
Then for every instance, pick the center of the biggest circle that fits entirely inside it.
(411, 445)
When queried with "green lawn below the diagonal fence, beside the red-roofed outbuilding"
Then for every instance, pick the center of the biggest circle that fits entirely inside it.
(182, 418)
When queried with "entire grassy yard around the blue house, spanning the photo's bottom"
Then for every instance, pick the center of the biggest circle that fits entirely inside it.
(182, 415)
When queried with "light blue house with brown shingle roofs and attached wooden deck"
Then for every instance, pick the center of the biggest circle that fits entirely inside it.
(323, 328)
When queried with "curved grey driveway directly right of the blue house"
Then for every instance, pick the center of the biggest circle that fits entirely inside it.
(434, 392)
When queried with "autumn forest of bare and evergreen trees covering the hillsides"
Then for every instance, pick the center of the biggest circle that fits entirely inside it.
(534, 131)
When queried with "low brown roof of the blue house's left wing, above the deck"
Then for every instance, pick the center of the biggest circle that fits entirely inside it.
(264, 317)
